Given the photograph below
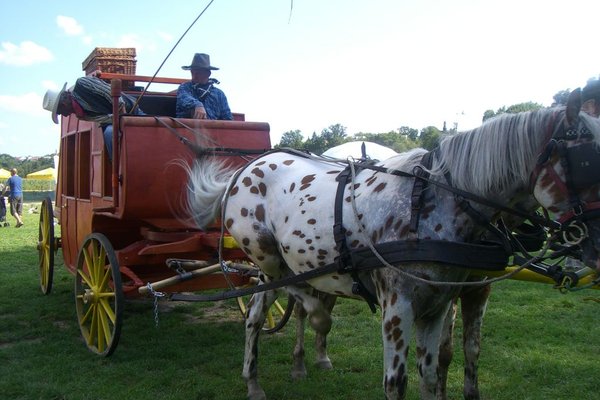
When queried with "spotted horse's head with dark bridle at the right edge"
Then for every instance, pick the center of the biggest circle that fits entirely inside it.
(567, 179)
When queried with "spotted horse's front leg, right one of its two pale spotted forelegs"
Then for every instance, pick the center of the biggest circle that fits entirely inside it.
(428, 334)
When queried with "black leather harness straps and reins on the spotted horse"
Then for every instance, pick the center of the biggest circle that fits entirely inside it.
(420, 174)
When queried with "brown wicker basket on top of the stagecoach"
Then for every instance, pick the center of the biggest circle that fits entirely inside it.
(113, 60)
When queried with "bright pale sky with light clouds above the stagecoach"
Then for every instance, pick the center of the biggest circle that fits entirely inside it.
(369, 65)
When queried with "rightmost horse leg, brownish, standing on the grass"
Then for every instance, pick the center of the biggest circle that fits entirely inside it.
(473, 303)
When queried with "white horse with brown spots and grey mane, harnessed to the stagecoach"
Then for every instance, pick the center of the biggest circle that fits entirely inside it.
(280, 209)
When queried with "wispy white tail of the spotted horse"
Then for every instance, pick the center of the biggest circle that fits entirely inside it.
(208, 182)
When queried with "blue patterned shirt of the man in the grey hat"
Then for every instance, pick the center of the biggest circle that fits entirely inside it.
(215, 102)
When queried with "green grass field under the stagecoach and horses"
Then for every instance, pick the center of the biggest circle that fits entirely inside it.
(537, 344)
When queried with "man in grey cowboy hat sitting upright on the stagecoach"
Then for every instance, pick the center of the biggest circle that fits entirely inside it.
(199, 98)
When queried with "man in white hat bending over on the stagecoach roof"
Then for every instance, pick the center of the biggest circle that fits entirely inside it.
(90, 100)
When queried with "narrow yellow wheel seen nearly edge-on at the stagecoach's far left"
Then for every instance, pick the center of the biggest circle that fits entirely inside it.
(46, 246)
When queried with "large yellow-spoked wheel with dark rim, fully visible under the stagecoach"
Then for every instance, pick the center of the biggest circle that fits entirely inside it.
(99, 295)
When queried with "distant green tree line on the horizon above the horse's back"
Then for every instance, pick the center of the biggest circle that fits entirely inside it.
(400, 140)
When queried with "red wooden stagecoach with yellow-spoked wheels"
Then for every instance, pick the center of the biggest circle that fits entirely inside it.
(123, 221)
